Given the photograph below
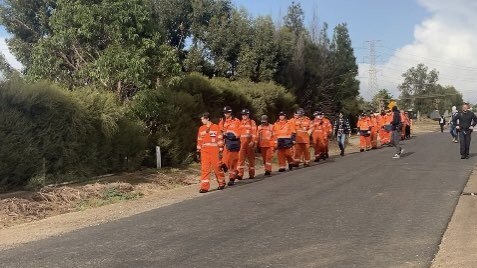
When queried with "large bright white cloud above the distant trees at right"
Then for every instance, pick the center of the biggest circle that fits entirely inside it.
(447, 42)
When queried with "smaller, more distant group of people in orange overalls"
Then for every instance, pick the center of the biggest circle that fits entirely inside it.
(372, 126)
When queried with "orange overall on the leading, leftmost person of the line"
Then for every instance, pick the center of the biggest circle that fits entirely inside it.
(209, 144)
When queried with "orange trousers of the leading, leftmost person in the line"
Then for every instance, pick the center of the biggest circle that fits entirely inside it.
(209, 157)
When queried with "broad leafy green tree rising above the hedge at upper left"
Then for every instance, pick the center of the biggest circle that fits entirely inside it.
(112, 44)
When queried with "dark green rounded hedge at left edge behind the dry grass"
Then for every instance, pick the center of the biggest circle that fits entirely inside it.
(46, 131)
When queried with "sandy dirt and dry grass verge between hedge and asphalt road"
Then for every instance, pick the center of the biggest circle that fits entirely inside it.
(51, 211)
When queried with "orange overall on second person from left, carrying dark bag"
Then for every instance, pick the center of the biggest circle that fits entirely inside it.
(230, 127)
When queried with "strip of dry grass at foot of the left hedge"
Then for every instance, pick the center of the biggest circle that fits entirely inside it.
(50, 201)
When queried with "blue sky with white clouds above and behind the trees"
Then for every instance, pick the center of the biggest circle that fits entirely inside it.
(439, 33)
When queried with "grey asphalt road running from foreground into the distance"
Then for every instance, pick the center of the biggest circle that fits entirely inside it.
(361, 210)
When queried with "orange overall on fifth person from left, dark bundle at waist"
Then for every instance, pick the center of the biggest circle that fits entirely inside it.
(283, 129)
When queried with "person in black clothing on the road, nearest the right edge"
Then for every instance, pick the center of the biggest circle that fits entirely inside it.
(464, 123)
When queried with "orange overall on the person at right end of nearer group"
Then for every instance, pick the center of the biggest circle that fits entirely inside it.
(320, 130)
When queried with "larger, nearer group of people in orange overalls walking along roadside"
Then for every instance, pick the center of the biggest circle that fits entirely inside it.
(230, 146)
